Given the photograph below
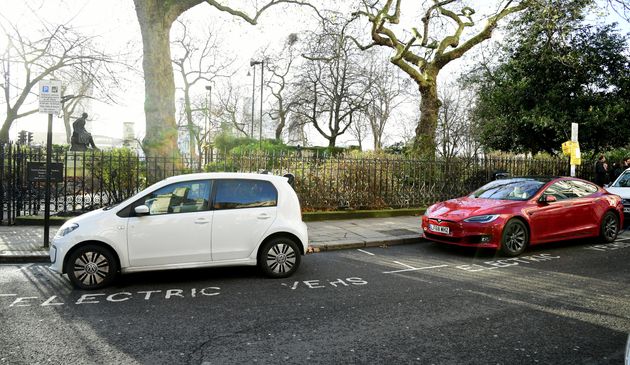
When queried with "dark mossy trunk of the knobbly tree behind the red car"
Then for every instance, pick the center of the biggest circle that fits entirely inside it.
(424, 142)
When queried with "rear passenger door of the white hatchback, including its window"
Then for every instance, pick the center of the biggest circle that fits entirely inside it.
(243, 211)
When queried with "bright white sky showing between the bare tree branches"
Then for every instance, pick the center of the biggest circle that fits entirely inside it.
(115, 24)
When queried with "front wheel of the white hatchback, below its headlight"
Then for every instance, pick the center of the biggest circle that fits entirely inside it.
(91, 267)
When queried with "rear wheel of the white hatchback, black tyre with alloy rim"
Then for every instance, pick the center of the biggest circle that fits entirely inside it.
(279, 257)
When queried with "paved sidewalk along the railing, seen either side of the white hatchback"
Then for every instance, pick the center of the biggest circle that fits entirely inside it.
(20, 244)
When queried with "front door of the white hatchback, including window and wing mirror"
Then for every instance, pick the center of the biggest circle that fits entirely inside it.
(177, 229)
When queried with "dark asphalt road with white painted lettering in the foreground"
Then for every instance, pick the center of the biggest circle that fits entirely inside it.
(422, 303)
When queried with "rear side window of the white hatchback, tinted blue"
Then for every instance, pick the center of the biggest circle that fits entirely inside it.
(240, 193)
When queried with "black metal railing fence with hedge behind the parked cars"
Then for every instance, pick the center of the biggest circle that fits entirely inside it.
(323, 182)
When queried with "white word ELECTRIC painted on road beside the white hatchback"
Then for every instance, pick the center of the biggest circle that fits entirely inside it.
(14, 300)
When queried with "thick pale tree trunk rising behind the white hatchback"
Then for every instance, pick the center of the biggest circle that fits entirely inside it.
(155, 20)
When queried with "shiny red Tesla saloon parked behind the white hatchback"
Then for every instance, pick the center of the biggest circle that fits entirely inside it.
(511, 214)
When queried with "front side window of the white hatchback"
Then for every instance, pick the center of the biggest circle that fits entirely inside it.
(182, 197)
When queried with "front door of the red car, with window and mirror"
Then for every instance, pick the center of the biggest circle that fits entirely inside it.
(551, 220)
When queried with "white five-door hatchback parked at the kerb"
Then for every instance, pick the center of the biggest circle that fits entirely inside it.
(186, 221)
